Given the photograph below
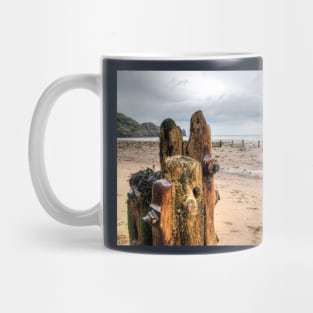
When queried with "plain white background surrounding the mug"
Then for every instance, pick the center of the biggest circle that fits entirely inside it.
(49, 267)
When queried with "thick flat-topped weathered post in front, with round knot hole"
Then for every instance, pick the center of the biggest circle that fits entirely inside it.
(187, 207)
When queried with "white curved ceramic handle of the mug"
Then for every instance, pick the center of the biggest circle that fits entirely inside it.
(45, 194)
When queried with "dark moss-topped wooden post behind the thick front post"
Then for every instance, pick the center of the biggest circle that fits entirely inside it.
(171, 140)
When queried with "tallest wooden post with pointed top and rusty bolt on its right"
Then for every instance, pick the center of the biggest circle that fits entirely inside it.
(199, 147)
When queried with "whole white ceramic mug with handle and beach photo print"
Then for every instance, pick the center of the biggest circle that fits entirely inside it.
(147, 105)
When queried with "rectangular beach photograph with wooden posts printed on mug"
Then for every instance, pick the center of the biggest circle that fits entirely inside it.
(189, 158)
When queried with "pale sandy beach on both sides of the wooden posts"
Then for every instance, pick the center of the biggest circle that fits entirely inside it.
(238, 215)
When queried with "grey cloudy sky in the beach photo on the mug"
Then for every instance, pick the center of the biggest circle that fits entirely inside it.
(230, 100)
